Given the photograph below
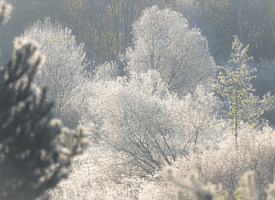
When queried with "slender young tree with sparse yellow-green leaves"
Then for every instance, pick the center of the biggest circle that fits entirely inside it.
(234, 85)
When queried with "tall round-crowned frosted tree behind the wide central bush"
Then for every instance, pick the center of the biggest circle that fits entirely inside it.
(163, 42)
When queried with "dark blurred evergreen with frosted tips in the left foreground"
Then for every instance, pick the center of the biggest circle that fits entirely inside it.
(31, 160)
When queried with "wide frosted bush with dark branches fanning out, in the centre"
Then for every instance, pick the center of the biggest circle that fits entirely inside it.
(141, 119)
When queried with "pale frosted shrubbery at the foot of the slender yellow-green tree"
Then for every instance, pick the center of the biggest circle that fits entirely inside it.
(227, 164)
